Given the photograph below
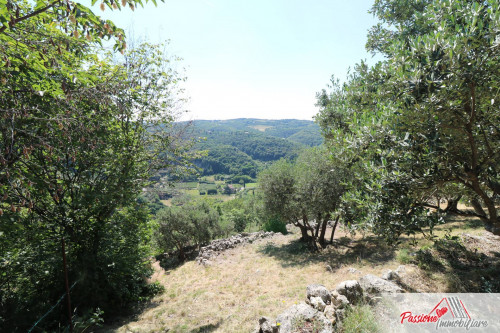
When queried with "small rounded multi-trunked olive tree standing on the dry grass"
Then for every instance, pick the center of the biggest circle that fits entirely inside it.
(311, 188)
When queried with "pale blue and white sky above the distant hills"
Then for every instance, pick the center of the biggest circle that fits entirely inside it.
(254, 59)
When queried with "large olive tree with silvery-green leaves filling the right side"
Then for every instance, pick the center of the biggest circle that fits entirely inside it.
(424, 119)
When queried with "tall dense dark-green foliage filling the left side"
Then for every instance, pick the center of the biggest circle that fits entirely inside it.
(80, 136)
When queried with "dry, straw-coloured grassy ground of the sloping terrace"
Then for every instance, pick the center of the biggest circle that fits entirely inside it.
(266, 277)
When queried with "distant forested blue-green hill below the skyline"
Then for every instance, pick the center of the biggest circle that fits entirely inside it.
(244, 146)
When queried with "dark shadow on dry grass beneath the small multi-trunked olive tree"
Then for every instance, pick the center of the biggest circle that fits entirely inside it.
(343, 251)
